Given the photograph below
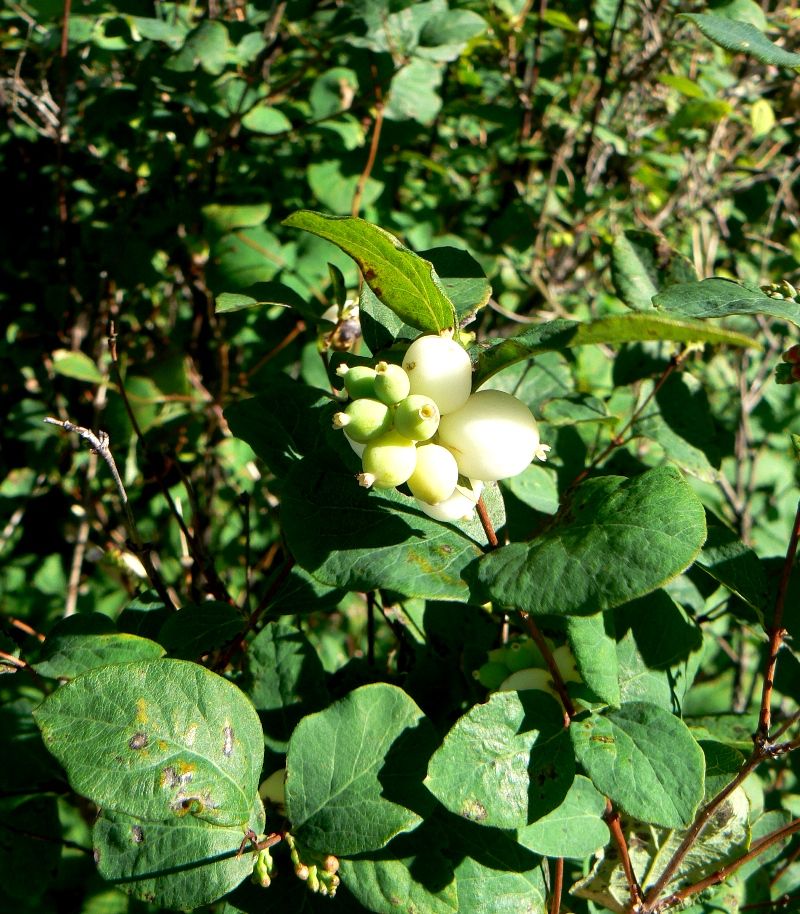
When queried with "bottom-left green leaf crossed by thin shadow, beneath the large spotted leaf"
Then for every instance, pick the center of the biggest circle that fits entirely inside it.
(180, 864)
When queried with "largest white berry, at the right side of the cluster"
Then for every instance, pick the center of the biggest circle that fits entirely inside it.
(493, 436)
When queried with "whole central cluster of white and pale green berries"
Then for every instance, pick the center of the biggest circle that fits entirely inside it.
(420, 424)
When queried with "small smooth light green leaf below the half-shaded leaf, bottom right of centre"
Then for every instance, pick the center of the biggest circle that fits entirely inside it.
(575, 829)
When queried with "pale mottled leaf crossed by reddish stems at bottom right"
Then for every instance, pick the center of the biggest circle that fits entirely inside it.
(725, 837)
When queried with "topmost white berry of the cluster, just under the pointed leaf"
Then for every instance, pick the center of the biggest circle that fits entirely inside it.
(440, 369)
